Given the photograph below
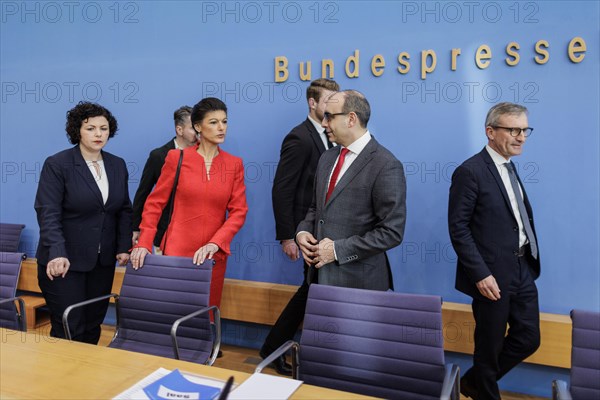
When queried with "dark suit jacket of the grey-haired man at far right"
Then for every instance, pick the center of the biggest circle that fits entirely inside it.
(483, 228)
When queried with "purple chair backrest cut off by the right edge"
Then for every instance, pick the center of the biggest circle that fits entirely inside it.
(585, 355)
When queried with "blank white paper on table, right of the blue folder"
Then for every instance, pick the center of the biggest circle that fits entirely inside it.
(265, 387)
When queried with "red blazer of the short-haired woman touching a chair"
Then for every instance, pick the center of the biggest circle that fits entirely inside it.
(207, 208)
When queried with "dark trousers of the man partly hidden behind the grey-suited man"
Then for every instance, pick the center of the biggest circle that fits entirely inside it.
(292, 315)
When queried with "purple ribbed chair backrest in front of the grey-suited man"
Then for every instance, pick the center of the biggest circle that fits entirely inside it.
(381, 344)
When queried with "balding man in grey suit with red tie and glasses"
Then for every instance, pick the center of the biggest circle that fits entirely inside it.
(358, 210)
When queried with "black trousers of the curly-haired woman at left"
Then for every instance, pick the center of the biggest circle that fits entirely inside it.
(75, 287)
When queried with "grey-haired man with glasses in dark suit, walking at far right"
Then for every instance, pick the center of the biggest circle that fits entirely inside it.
(491, 228)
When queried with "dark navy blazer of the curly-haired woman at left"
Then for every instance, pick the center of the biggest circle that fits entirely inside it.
(73, 220)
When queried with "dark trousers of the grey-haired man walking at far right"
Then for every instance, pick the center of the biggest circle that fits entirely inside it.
(497, 352)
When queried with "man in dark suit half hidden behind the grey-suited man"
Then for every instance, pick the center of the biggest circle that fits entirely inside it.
(292, 195)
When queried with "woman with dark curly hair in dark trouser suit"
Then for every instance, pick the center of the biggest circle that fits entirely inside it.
(84, 213)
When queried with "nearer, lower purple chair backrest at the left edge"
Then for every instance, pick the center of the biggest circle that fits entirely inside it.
(10, 268)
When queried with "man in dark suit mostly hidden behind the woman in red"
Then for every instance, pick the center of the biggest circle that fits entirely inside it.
(185, 136)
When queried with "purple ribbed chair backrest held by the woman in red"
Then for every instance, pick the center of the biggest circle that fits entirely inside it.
(154, 297)
